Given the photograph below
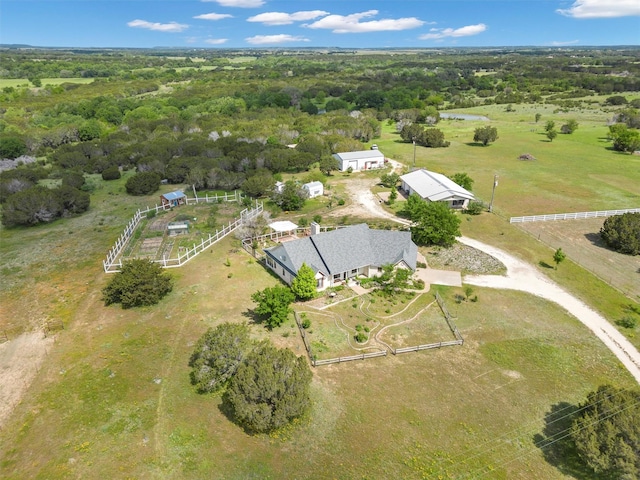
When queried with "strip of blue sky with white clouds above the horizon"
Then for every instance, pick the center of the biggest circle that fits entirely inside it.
(317, 23)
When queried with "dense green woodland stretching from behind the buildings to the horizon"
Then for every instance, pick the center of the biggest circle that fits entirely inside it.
(224, 119)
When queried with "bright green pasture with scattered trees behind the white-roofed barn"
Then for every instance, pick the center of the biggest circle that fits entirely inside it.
(574, 173)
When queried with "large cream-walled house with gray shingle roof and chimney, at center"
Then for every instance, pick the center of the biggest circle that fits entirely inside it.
(341, 254)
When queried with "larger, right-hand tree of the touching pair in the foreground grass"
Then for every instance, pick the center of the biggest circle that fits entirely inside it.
(269, 390)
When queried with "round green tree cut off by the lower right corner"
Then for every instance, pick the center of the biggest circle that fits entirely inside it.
(606, 432)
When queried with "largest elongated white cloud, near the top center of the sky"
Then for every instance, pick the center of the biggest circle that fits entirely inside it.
(352, 24)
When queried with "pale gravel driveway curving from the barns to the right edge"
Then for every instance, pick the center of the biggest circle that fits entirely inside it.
(520, 276)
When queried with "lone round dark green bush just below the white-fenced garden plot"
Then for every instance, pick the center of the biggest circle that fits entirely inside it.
(139, 283)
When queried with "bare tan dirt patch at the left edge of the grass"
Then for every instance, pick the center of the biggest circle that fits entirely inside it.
(20, 361)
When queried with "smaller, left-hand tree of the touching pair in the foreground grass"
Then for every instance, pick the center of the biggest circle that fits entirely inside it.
(217, 356)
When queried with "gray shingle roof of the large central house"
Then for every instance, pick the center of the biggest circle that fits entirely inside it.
(346, 249)
